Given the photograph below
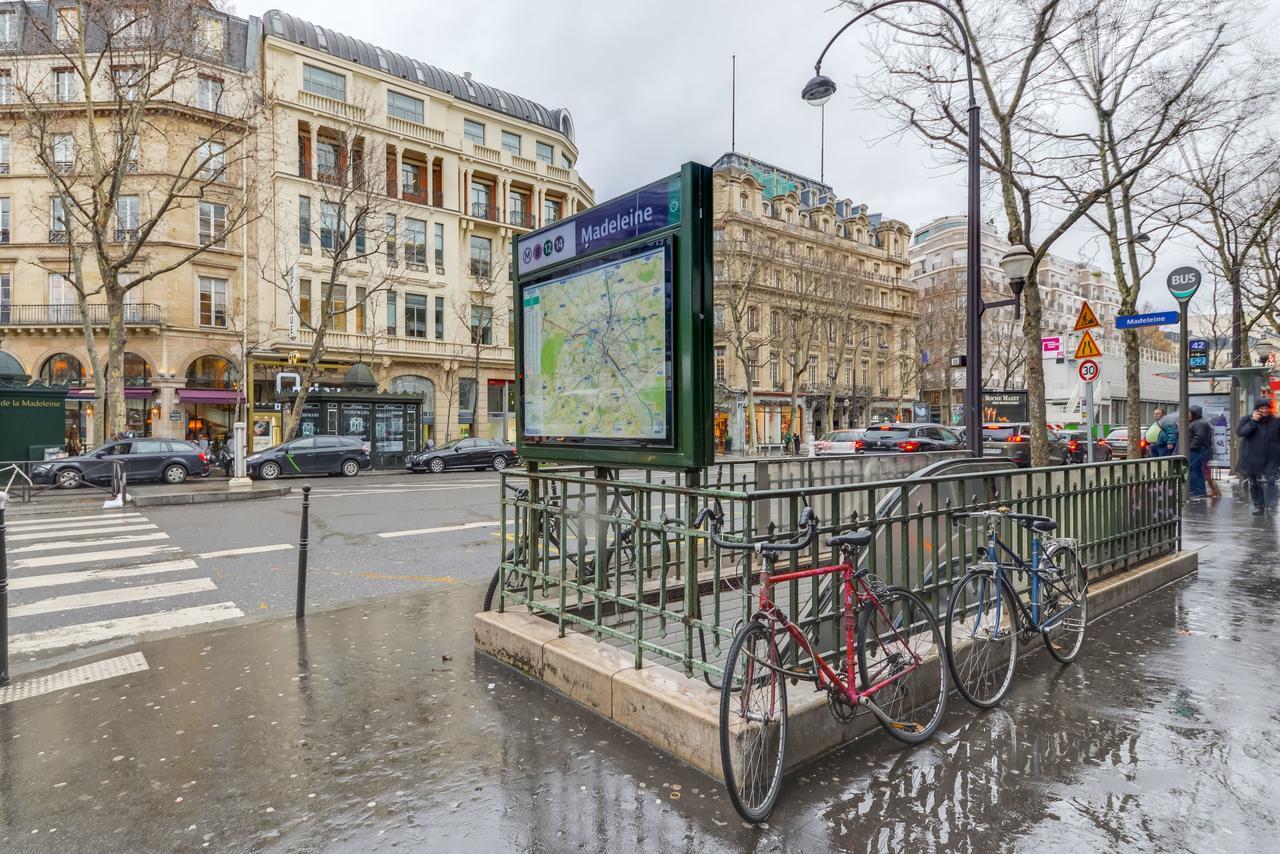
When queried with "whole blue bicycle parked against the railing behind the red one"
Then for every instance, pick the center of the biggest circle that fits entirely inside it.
(988, 615)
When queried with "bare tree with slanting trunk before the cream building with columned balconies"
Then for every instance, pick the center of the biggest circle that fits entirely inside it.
(351, 223)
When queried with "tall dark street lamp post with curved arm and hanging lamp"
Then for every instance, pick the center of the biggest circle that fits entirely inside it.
(819, 92)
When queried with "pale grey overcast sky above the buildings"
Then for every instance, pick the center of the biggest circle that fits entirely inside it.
(648, 84)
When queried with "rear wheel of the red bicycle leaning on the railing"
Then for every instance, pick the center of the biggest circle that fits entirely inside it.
(900, 641)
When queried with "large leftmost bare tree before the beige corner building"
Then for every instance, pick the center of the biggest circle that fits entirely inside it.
(122, 76)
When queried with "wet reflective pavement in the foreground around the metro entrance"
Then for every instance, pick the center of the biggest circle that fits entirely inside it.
(378, 729)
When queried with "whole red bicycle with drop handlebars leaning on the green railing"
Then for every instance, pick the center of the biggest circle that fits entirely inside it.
(890, 636)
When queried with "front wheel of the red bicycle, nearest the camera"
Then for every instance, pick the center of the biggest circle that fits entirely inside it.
(753, 721)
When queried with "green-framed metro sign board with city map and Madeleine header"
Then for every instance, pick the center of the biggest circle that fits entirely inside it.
(614, 331)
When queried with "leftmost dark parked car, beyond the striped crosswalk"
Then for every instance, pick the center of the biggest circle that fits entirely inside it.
(168, 460)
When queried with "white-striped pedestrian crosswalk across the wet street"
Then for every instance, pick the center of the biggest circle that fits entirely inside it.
(79, 579)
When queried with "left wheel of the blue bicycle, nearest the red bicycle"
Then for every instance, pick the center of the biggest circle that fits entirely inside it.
(982, 638)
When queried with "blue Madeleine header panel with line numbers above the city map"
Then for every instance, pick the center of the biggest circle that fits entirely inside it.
(642, 212)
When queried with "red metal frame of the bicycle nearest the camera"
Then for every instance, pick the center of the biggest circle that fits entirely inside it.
(826, 677)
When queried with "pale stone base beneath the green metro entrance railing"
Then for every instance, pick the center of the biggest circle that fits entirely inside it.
(682, 715)
